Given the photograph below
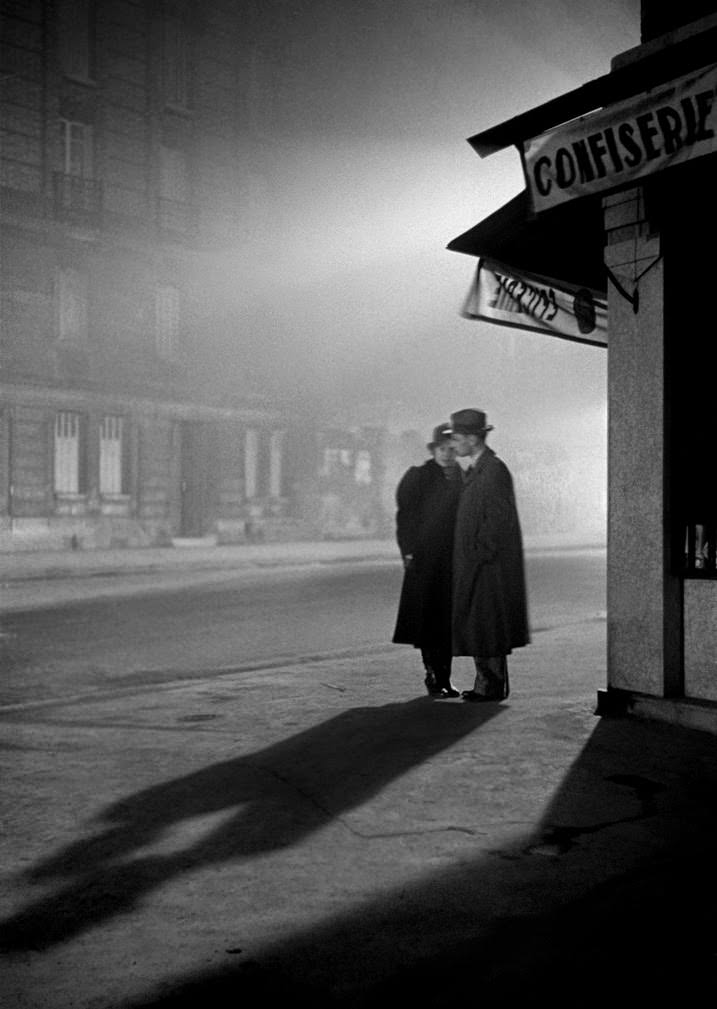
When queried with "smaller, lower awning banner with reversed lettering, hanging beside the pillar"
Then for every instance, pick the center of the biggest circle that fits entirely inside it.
(513, 298)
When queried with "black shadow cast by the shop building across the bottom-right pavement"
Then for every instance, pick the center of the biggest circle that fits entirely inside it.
(611, 902)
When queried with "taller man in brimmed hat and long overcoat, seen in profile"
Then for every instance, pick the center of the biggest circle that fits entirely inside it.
(490, 600)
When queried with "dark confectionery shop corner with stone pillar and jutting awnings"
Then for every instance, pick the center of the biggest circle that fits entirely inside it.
(622, 171)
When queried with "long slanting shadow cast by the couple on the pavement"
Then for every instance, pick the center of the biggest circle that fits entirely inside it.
(279, 796)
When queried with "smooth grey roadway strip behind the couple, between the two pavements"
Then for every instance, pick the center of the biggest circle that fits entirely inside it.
(243, 622)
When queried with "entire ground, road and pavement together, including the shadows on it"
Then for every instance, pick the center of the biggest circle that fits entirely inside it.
(234, 792)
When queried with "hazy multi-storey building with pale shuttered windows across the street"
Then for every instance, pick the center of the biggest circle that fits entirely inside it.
(119, 183)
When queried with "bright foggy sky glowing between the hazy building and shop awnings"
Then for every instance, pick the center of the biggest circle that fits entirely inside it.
(358, 174)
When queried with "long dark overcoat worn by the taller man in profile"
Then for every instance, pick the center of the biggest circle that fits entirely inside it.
(490, 600)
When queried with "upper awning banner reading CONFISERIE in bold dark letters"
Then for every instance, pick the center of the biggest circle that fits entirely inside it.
(668, 126)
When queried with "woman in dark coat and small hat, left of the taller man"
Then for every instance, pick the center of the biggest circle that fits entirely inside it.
(427, 498)
